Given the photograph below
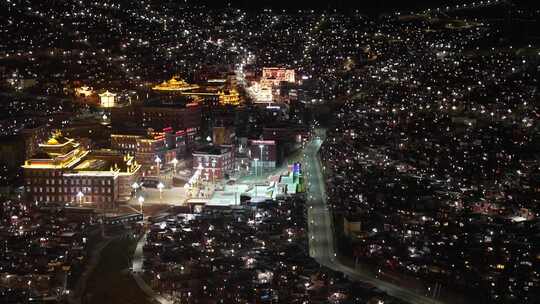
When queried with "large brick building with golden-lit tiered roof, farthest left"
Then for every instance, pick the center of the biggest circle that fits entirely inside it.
(64, 172)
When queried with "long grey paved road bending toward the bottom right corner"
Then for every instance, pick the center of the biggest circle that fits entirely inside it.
(321, 240)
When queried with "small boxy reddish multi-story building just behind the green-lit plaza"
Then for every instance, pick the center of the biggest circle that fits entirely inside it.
(214, 161)
